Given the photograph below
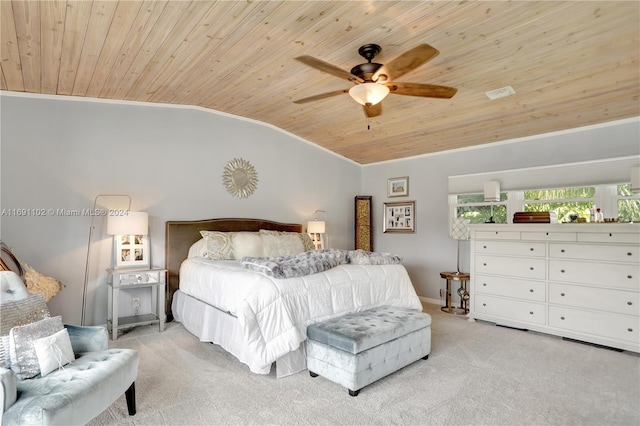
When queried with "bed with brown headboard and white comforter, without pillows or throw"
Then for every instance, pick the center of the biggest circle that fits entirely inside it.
(260, 319)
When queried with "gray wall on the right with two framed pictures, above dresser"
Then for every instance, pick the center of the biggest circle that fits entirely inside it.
(430, 250)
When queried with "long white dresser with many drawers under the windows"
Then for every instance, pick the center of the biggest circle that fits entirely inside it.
(580, 281)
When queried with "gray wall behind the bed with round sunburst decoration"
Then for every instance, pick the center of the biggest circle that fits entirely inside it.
(60, 153)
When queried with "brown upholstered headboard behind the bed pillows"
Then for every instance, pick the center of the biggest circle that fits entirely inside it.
(180, 235)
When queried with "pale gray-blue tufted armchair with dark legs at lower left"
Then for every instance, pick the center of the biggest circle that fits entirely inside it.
(74, 393)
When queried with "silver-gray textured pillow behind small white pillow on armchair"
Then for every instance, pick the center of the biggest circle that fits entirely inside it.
(24, 361)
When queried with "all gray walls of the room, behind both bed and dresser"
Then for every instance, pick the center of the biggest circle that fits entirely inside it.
(60, 153)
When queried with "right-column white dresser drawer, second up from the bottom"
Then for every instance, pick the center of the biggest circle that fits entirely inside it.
(602, 299)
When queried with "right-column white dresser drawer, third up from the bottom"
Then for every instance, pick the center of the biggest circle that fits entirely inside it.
(600, 274)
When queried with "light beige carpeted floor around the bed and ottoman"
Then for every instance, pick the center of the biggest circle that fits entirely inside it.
(477, 374)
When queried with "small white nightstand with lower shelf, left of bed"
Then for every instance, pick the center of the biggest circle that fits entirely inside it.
(126, 279)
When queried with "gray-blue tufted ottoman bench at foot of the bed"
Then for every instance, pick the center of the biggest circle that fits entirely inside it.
(357, 349)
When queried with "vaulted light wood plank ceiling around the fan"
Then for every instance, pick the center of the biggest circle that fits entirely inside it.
(571, 63)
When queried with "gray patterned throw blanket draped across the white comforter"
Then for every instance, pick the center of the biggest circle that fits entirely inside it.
(313, 261)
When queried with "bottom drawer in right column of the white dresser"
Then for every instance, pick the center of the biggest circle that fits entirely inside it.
(613, 326)
